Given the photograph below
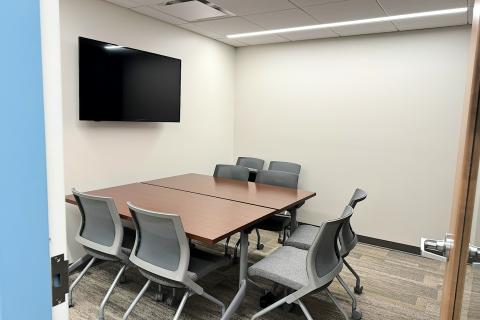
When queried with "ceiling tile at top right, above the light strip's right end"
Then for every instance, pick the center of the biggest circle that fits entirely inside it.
(394, 7)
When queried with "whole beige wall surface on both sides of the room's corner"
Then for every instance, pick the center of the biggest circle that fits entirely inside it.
(380, 112)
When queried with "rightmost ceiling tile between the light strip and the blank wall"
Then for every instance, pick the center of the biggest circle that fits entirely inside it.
(432, 22)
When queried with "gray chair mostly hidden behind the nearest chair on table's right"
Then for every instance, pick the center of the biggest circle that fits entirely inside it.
(304, 235)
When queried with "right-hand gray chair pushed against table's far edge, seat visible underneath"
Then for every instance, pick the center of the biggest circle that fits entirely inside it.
(281, 221)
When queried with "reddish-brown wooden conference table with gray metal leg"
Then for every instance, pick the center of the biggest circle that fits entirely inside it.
(211, 209)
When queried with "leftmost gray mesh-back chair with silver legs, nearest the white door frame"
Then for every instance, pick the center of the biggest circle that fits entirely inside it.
(101, 235)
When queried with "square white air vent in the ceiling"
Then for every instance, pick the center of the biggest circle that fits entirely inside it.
(194, 10)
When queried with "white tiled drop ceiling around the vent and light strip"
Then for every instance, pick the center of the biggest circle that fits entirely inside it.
(258, 15)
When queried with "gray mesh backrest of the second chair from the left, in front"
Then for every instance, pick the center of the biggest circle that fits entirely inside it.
(161, 246)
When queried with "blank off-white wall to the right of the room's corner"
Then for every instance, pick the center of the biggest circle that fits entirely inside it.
(381, 112)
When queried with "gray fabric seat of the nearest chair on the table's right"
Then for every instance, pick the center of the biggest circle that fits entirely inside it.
(286, 266)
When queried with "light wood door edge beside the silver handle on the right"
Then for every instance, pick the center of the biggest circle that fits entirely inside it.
(465, 183)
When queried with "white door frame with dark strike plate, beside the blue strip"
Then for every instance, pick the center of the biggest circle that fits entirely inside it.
(53, 113)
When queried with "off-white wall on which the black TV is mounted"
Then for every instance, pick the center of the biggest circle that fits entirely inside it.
(105, 154)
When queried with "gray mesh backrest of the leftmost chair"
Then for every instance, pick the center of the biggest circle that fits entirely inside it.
(100, 228)
